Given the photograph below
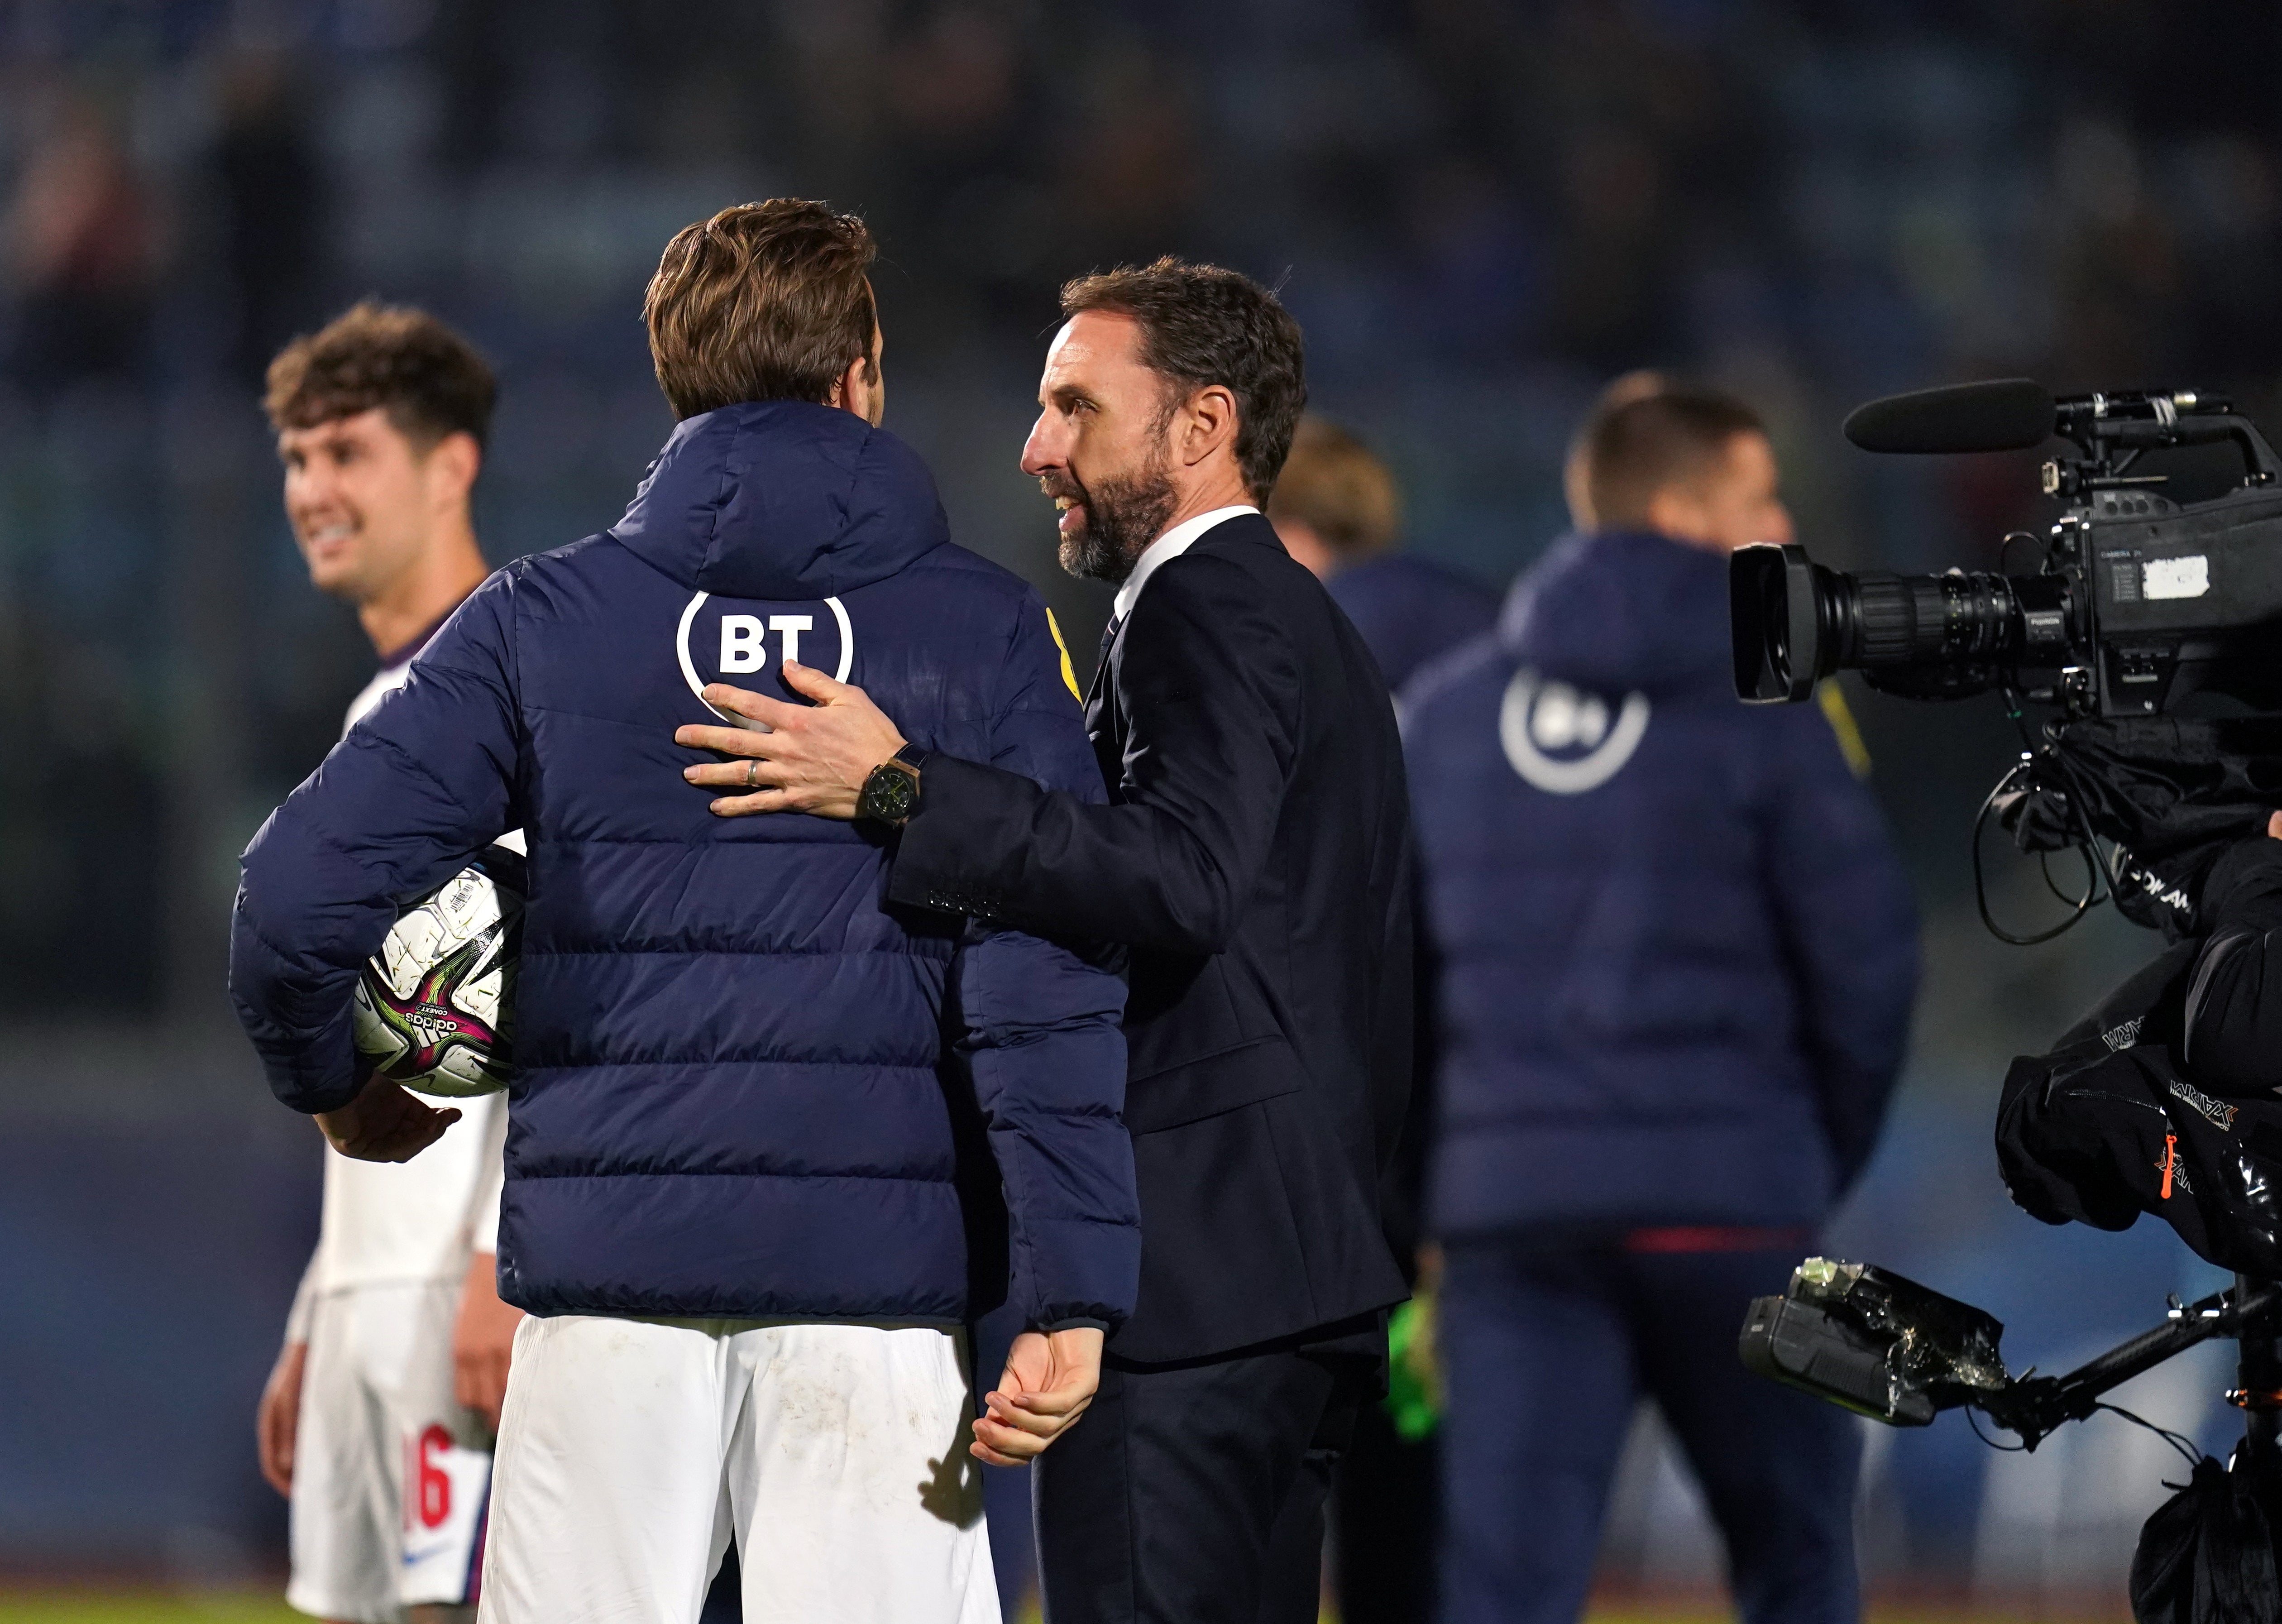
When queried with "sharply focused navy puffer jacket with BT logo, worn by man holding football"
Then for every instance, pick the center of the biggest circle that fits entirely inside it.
(747, 1087)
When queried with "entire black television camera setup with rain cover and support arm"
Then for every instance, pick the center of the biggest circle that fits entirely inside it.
(2149, 624)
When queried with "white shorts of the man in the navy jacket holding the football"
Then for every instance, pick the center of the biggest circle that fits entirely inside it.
(834, 1454)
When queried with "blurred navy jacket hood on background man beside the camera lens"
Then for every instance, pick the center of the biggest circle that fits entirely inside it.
(1624, 610)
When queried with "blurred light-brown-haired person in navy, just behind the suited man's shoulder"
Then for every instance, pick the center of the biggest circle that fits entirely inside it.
(1338, 512)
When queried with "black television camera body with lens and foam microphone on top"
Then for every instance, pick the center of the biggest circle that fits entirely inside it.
(2137, 603)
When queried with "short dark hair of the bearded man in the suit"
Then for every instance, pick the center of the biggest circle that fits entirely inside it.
(1204, 325)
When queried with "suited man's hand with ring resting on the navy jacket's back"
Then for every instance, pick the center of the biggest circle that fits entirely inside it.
(802, 758)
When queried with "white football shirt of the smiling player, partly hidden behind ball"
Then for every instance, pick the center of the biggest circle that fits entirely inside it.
(389, 1221)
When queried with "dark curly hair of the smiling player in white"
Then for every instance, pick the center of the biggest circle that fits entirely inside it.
(405, 362)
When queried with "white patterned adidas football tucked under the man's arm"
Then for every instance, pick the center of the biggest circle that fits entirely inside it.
(435, 1007)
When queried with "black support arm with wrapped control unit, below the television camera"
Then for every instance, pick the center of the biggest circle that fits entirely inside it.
(1900, 1354)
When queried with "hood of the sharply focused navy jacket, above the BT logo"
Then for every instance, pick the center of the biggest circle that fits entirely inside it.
(784, 501)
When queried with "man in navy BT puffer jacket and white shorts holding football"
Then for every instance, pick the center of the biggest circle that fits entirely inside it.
(763, 1121)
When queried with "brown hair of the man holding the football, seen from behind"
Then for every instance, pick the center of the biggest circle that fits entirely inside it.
(763, 302)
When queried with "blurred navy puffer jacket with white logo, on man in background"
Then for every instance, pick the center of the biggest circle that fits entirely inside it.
(1676, 945)
